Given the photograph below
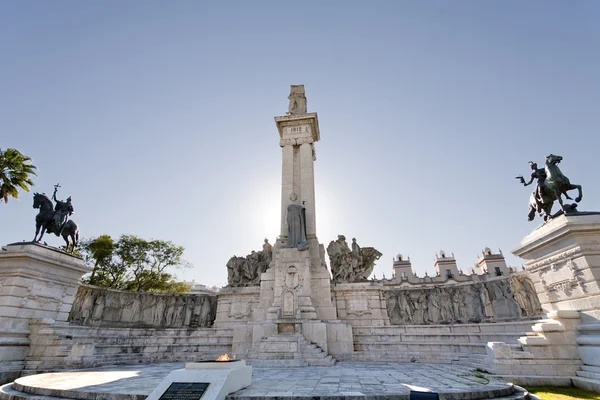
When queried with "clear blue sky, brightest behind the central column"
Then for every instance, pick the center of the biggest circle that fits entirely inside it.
(157, 118)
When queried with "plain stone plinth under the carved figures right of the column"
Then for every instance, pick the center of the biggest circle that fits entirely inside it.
(361, 304)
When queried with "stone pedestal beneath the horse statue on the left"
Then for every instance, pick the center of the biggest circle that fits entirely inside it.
(36, 282)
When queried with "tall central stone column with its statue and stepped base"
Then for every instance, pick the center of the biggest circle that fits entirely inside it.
(293, 307)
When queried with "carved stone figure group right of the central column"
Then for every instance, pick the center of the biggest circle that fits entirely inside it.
(351, 265)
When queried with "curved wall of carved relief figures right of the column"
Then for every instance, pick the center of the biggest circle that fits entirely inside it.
(502, 299)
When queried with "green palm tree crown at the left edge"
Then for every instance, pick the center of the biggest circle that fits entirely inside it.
(15, 172)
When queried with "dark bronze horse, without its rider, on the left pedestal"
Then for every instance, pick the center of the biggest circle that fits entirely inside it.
(47, 222)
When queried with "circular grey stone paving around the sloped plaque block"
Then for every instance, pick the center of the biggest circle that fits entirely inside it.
(344, 380)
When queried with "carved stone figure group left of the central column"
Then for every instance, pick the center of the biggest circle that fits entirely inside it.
(246, 271)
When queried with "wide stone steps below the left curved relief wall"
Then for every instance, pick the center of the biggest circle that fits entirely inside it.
(67, 346)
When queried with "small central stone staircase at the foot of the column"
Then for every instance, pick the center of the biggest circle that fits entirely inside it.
(288, 350)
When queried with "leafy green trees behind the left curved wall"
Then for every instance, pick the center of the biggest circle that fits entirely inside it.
(133, 263)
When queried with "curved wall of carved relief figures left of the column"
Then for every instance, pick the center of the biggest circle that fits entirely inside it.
(95, 306)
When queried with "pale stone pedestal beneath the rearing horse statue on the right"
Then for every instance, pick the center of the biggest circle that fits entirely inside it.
(563, 257)
